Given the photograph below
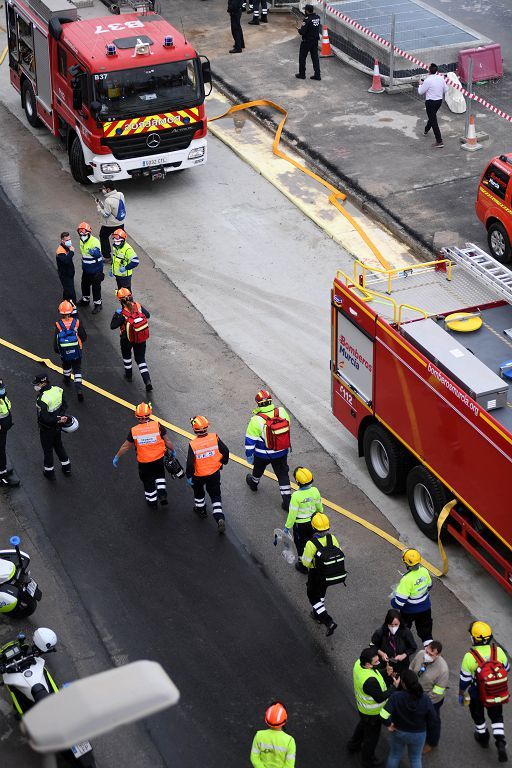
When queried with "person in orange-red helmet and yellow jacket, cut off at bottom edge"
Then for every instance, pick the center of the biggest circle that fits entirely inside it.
(273, 748)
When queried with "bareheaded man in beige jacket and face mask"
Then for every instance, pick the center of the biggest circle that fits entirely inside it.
(433, 674)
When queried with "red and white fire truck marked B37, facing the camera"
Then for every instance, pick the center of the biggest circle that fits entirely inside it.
(126, 97)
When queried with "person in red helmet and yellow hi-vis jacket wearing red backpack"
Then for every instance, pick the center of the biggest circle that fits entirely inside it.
(257, 450)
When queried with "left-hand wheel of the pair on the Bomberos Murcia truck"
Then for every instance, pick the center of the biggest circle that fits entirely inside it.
(385, 458)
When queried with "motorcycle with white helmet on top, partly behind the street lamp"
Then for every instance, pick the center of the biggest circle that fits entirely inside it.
(24, 673)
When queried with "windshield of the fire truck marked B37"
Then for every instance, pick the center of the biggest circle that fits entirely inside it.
(146, 90)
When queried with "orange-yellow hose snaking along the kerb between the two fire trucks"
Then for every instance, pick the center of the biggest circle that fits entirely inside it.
(336, 197)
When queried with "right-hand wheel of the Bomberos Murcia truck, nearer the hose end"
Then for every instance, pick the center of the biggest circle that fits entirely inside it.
(426, 496)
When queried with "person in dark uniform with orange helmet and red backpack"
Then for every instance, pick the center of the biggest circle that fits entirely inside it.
(131, 319)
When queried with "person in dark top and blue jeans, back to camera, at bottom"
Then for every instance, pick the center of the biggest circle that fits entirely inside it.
(408, 714)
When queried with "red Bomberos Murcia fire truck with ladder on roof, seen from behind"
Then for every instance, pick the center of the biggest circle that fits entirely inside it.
(425, 392)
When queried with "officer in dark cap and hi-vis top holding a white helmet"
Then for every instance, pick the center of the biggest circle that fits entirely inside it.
(51, 407)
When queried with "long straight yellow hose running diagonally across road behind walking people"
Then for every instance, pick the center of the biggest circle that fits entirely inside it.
(238, 460)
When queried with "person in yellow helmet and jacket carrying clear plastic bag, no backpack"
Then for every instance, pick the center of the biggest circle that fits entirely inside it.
(304, 504)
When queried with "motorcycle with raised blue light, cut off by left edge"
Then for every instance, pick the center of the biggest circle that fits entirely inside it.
(19, 593)
